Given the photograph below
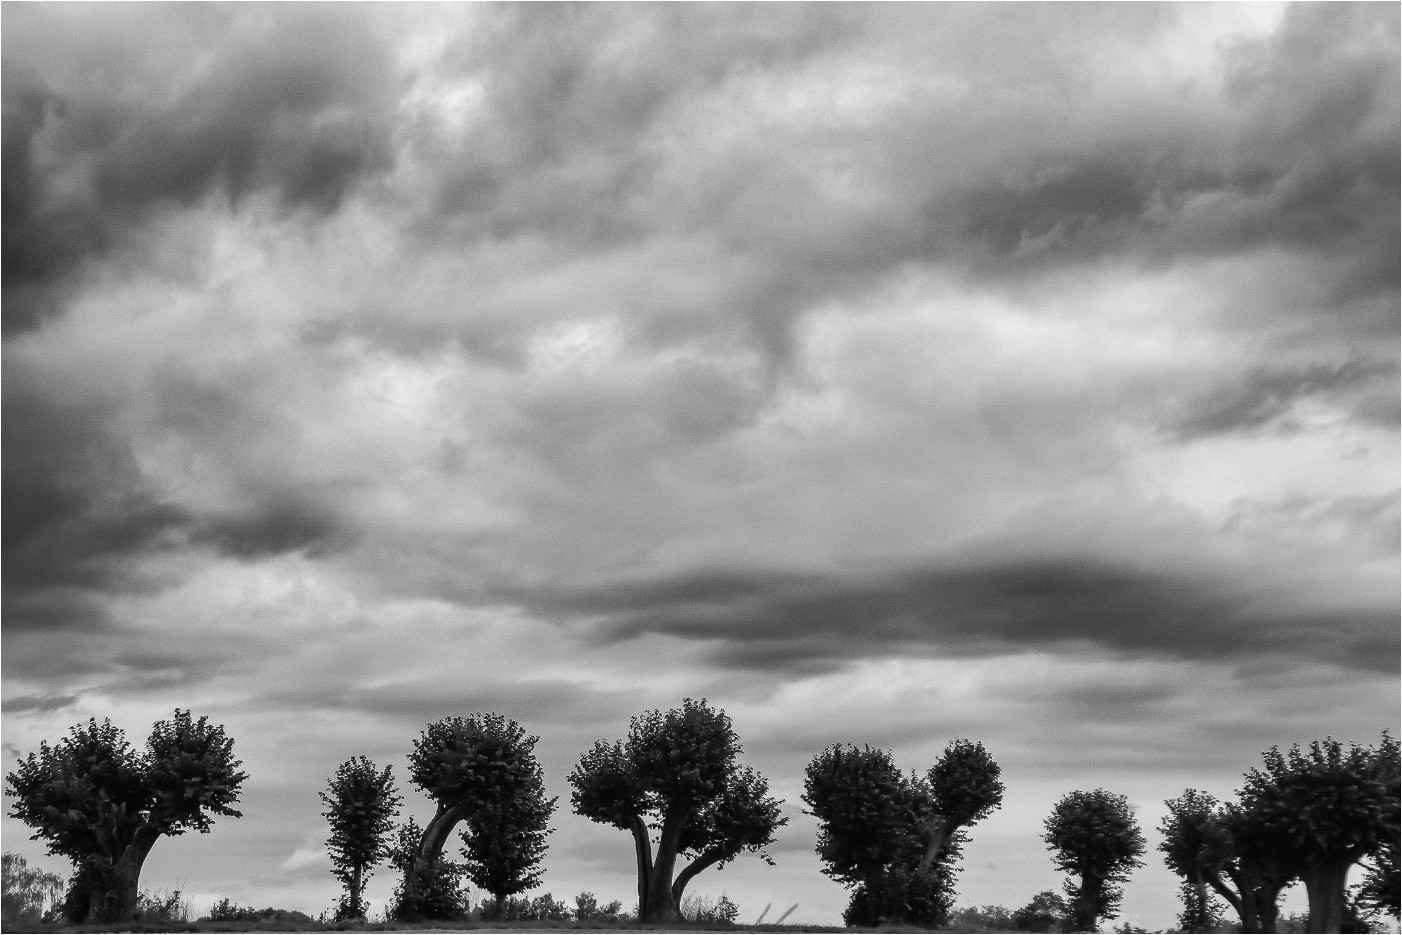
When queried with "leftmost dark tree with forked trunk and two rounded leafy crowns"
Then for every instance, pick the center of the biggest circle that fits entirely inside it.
(104, 805)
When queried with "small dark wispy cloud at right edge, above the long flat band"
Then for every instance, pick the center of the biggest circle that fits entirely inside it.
(1267, 397)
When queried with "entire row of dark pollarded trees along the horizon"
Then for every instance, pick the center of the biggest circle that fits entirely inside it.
(676, 786)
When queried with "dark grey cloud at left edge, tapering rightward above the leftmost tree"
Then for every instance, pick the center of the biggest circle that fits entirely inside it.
(82, 518)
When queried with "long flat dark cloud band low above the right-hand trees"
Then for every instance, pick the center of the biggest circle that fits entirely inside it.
(807, 623)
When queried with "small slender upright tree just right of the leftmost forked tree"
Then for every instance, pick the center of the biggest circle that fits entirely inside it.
(361, 810)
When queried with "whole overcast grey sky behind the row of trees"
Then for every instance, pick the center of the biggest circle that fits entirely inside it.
(881, 374)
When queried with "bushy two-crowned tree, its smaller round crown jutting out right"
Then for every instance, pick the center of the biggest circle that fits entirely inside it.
(892, 838)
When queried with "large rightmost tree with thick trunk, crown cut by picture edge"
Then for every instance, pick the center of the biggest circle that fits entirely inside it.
(1319, 812)
